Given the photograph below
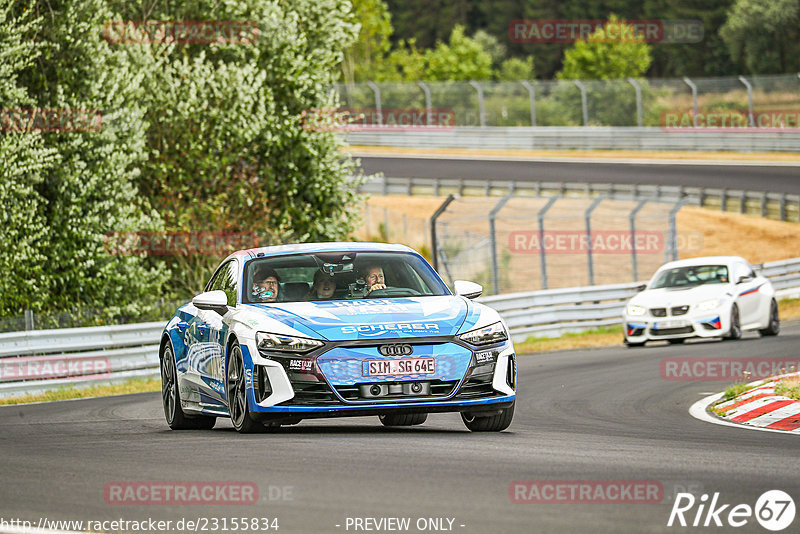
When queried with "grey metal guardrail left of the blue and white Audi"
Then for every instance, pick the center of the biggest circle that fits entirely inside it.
(36, 361)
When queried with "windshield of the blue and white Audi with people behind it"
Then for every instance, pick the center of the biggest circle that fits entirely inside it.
(339, 276)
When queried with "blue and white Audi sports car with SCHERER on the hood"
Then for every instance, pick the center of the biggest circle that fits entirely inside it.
(292, 332)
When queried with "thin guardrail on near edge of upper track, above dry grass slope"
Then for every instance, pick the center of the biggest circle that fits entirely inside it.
(781, 206)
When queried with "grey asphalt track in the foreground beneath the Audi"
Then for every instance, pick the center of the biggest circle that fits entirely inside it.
(603, 414)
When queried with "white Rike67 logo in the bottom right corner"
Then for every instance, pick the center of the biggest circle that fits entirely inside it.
(774, 510)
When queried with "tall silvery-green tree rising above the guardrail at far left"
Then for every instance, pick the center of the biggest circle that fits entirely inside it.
(90, 194)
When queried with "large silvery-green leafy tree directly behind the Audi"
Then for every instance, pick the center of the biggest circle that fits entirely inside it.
(230, 151)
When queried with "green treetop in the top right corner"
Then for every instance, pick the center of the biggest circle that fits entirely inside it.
(764, 35)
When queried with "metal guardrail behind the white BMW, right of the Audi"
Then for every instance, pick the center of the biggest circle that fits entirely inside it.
(553, 312)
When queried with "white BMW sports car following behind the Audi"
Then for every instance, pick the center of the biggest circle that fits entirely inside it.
(715, 296)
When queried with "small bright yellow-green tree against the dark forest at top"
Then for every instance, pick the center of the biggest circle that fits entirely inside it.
(606, 54)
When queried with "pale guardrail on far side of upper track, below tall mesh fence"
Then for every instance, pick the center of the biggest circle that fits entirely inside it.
(578, 138)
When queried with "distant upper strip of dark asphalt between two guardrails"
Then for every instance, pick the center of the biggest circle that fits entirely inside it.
(735, 175)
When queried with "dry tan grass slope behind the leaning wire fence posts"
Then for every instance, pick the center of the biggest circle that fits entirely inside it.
(701, 232)
